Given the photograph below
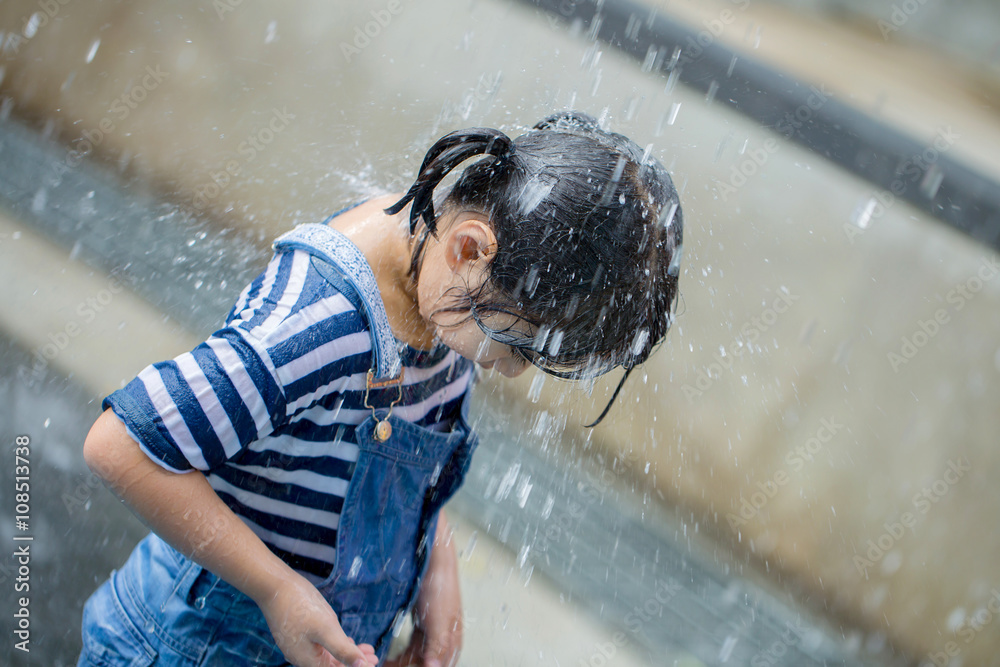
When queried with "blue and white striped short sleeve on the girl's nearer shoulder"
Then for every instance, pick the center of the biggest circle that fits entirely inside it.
(205, 406)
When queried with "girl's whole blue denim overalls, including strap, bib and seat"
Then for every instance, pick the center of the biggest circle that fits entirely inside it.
(162, 608)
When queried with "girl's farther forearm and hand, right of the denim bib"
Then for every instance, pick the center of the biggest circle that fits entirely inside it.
(437, 634)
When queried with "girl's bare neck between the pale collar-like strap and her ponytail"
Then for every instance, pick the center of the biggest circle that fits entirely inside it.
(385, 242)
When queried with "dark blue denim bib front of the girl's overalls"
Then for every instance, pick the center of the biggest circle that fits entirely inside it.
(388, 523)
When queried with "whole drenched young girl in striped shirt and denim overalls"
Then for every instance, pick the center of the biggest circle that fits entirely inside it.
(293, 467)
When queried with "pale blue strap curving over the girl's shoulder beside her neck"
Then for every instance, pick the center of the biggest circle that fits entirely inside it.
(345, 266)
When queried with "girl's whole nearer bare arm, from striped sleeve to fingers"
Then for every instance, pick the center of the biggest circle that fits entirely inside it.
(185, 511)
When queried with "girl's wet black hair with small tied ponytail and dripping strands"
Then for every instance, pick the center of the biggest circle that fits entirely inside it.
(589, 235)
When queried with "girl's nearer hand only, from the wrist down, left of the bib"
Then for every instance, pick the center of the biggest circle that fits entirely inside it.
(307, 631)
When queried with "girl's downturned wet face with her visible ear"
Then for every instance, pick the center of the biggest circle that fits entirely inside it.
(458, 263)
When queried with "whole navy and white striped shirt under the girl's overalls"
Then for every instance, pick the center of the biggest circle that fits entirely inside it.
(268, 405)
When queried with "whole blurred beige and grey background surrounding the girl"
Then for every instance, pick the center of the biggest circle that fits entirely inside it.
(803, 474)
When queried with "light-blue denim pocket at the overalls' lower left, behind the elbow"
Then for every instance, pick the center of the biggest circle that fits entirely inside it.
(110, 638)
